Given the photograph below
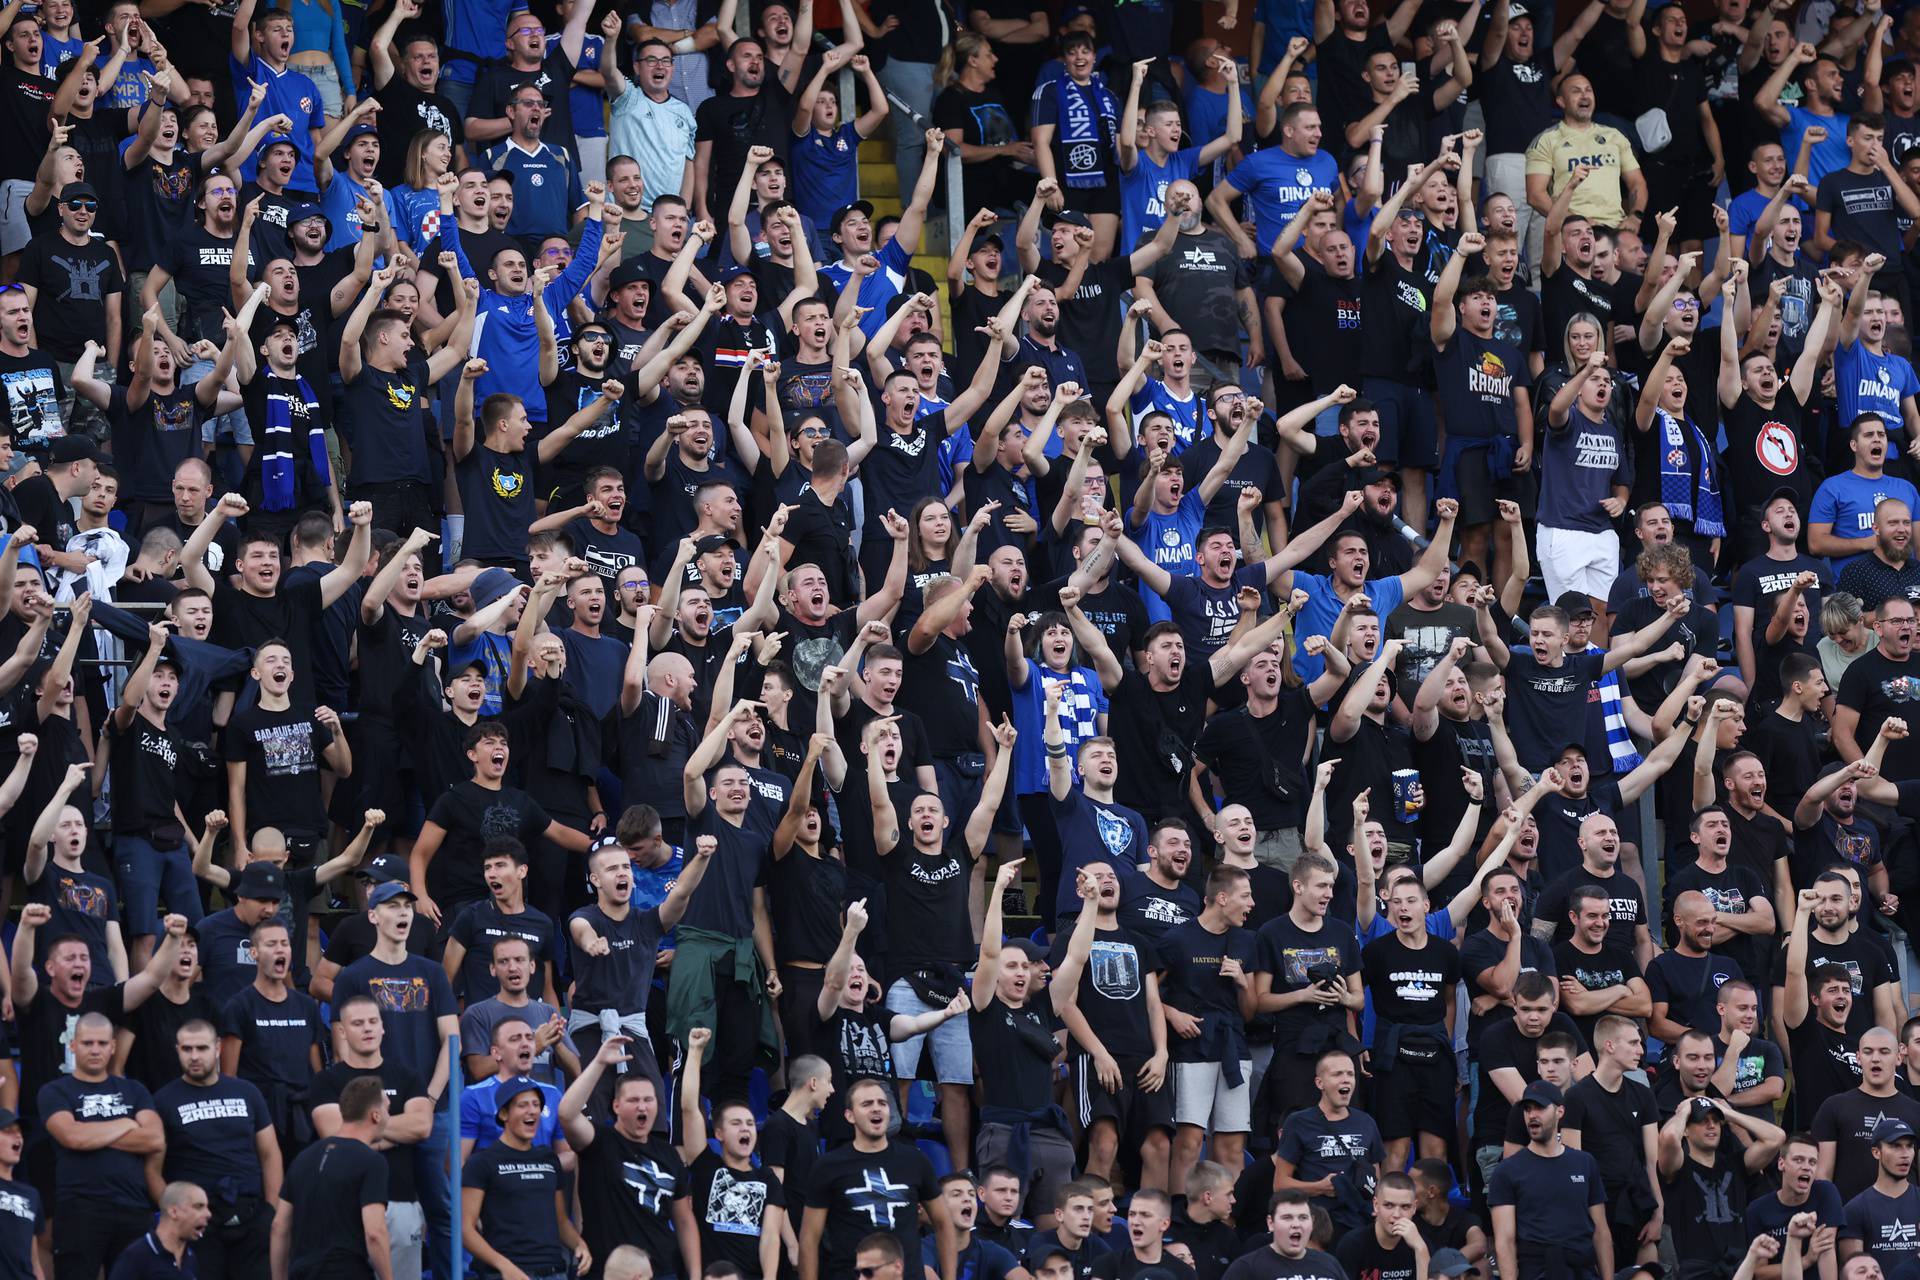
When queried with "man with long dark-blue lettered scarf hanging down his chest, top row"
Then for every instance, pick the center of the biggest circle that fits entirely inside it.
(1074, 126)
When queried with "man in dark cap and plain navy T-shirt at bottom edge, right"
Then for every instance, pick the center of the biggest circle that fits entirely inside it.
(1548, 1200)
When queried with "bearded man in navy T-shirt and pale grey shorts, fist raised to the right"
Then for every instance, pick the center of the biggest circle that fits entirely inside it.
(613, 959)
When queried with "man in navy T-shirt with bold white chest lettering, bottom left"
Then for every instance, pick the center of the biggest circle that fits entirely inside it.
(220, 1135)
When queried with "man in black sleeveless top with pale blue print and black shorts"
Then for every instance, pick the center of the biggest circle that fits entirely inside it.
(1120, 1060)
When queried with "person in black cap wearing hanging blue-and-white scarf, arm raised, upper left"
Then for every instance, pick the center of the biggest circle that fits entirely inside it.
(289, 473)
